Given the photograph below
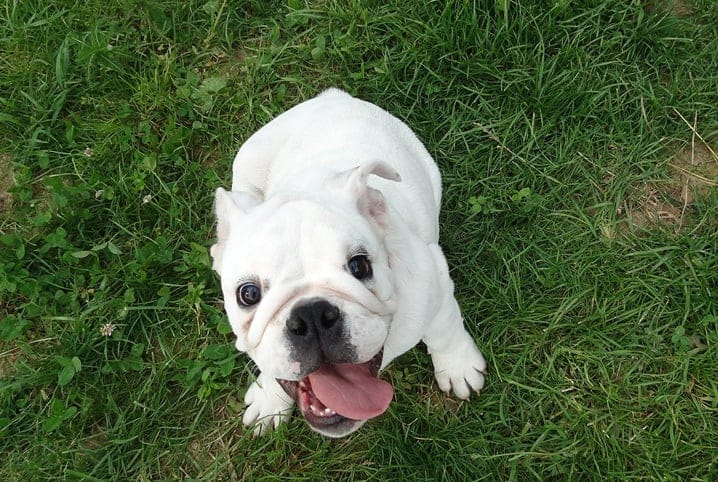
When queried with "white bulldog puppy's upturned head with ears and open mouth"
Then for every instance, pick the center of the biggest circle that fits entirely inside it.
(309, 292)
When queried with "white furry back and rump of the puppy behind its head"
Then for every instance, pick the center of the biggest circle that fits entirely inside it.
(334, 132)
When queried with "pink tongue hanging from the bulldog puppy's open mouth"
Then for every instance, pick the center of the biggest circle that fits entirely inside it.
(351, 391)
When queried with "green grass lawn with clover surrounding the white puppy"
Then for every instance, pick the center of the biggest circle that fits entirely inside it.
(577, 141)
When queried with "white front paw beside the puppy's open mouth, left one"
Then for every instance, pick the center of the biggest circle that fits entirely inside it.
(268, 405)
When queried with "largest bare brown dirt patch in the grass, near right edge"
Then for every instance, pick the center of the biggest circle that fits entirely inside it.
(694, 173)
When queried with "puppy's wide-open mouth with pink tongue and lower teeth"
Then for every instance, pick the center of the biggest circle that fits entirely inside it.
(339, 396)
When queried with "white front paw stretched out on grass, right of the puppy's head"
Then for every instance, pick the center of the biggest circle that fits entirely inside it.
(461, 371)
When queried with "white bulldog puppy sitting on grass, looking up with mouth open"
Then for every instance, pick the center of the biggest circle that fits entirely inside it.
(330, 265)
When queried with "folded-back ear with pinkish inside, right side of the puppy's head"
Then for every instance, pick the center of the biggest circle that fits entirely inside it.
(370, 201)
